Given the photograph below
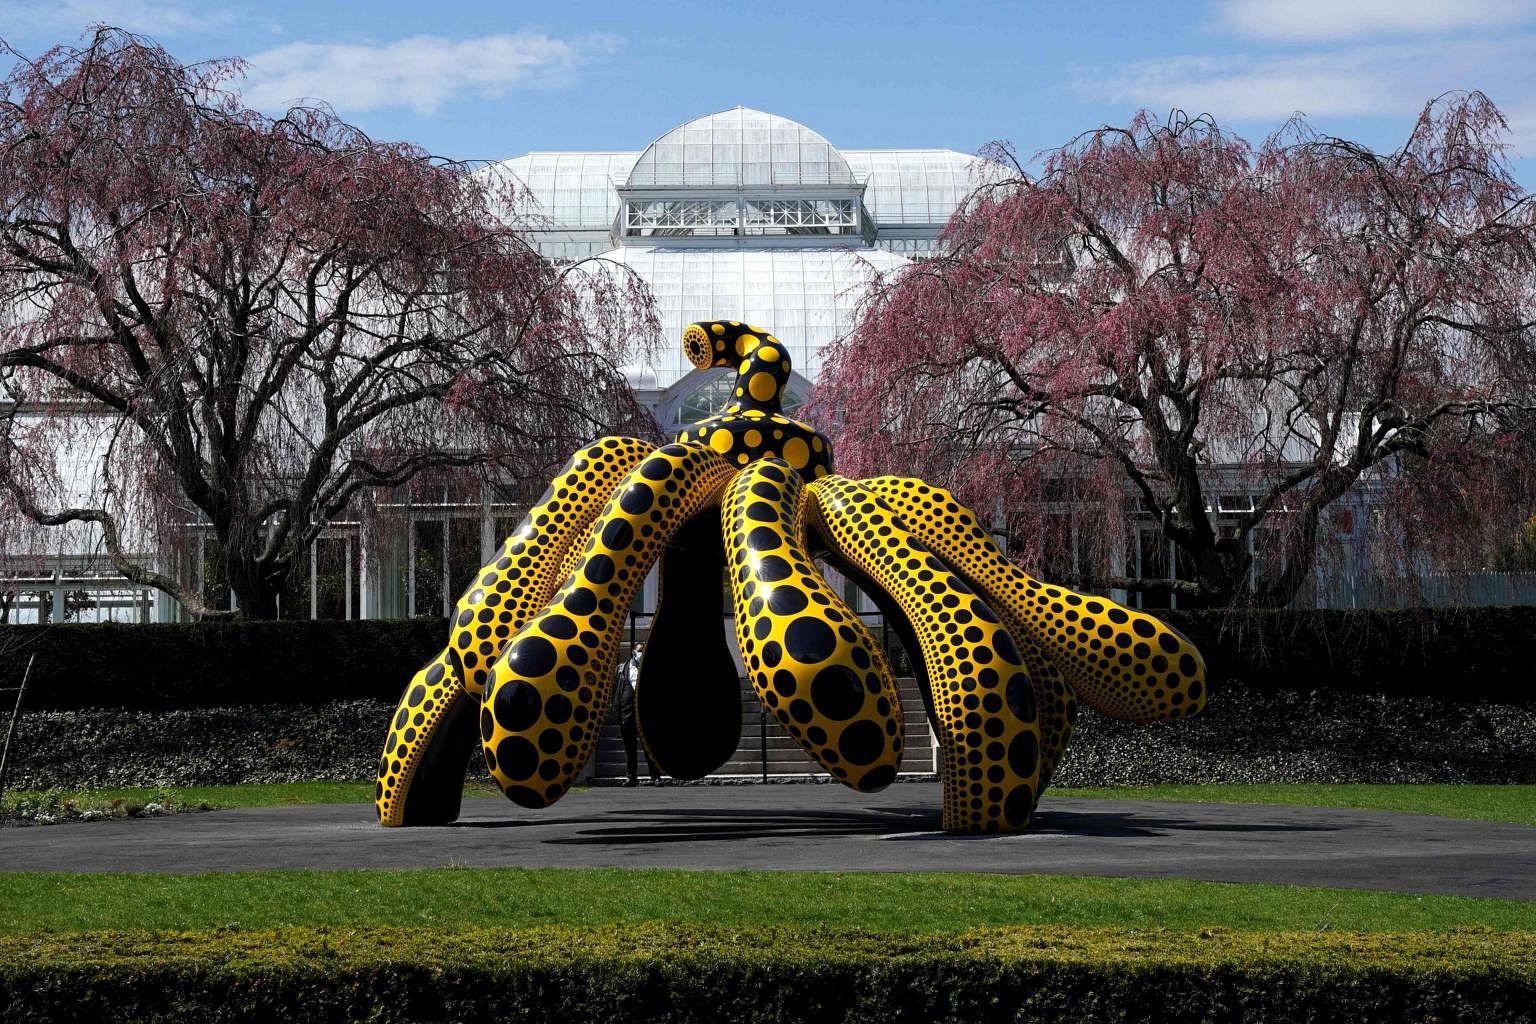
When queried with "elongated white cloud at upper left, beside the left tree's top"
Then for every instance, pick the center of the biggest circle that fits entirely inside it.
(420, 73)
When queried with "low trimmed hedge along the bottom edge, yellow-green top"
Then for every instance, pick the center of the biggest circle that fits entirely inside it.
(672, 973)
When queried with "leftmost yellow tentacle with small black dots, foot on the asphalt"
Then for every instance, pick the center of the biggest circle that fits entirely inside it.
(432, 735)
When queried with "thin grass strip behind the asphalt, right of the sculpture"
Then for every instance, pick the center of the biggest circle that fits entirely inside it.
(1480, 804)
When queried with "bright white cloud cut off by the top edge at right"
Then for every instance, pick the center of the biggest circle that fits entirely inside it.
(1332, 21)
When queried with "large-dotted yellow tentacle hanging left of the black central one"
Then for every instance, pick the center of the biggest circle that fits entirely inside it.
(549, 693)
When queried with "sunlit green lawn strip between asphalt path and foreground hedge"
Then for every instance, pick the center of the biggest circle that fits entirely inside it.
(905, 903)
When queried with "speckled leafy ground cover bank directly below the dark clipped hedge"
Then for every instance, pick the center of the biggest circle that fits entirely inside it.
(1245, 736)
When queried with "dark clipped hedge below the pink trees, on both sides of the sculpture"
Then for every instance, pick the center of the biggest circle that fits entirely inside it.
(1474, 655)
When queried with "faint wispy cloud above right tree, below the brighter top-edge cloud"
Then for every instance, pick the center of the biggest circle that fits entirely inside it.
(1349, 82)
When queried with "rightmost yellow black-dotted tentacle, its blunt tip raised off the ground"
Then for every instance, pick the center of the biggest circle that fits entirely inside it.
(1121, 662)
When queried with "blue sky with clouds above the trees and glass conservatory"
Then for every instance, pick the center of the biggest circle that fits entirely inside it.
(494, 81)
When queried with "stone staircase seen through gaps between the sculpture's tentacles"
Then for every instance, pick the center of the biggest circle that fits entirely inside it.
(767, 753)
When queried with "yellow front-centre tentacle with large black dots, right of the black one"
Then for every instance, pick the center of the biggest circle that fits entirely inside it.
(810, 659)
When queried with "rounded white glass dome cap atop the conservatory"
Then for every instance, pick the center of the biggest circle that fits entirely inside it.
(740, 148)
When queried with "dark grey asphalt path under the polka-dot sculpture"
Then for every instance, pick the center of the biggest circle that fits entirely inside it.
(821, 828)
